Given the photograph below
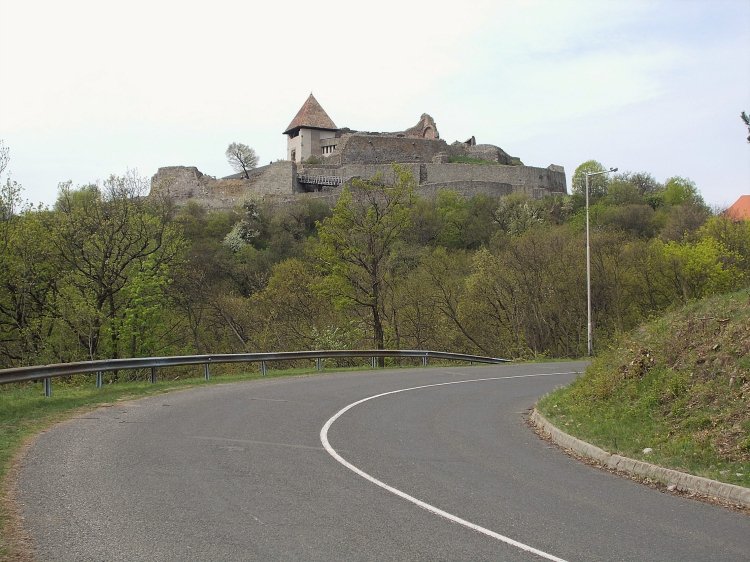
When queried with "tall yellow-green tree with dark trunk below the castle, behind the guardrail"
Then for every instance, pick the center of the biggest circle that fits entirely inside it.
(358, 241)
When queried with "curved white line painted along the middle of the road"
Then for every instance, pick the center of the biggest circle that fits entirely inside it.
(412, 499)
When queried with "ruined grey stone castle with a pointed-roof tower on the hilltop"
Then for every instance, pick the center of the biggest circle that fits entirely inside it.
(321, 158)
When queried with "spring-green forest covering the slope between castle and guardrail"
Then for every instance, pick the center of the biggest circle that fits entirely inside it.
(115, 270)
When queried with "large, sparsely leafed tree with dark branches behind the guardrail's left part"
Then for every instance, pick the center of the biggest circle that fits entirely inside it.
(109, 239)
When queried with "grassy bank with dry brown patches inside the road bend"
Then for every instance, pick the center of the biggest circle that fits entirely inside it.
(679, 385)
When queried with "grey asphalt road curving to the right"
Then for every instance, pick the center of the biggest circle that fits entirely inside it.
(240, 472)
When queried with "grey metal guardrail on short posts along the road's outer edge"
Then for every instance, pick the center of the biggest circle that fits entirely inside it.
(46, 372)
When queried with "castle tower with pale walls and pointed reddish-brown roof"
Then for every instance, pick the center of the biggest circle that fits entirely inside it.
(311, 133)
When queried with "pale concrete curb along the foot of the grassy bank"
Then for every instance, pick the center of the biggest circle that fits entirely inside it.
(681, 481)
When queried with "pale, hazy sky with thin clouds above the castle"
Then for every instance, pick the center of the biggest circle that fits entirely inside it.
(90, 89)
